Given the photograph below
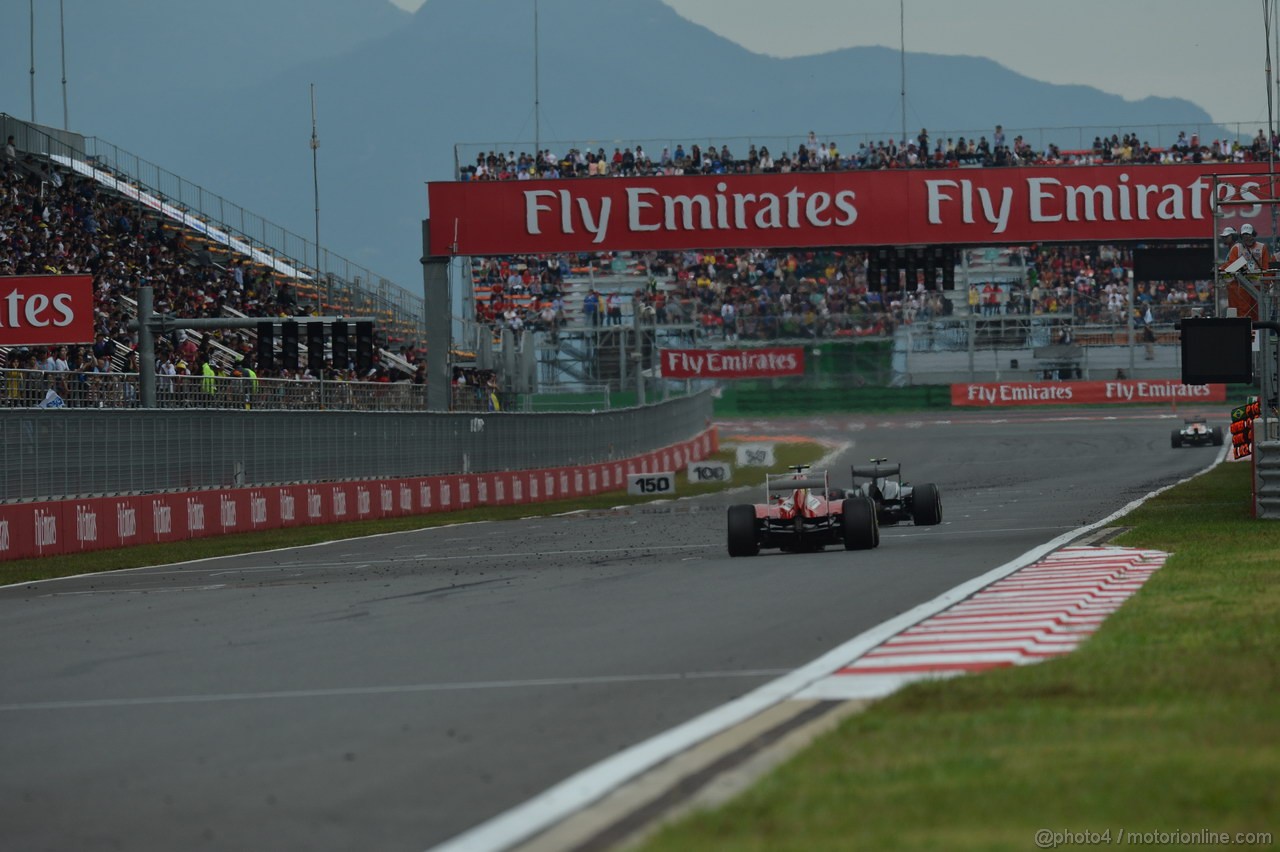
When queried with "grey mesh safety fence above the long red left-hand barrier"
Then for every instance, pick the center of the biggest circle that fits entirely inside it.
(83, 452)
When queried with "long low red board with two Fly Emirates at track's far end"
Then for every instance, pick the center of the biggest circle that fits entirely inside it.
(1076, 393)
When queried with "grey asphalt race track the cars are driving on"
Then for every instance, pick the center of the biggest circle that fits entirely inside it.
(388, 694)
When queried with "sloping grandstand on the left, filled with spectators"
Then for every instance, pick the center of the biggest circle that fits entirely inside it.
(70, 207)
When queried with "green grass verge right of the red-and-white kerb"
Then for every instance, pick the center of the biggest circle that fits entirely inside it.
(1168, 720)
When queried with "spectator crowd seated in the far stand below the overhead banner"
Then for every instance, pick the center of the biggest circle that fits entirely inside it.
(761, 295)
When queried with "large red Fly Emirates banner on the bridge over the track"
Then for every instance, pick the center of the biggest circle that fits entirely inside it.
(858, 208)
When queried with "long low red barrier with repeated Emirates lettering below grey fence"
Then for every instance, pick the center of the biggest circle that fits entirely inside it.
(60, 528)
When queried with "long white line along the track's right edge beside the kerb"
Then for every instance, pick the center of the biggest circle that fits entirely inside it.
(595, 782)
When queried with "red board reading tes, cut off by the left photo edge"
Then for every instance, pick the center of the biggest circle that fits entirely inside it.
(40, 310)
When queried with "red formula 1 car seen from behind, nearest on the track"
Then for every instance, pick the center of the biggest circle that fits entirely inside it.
(801, 512)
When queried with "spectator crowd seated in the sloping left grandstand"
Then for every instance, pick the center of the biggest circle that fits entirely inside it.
(57, 223)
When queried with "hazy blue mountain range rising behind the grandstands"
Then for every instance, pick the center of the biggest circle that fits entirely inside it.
(220, 94)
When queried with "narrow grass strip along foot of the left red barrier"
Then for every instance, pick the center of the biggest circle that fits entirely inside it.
(85, 564)
